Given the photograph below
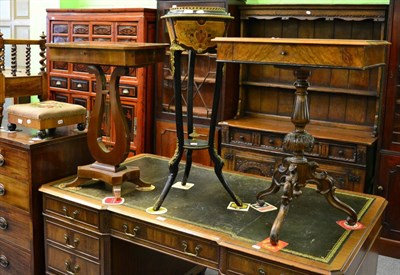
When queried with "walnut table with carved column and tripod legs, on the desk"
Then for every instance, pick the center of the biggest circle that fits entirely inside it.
(301, 56)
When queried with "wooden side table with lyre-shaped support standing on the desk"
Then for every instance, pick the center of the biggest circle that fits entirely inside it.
(108, 166)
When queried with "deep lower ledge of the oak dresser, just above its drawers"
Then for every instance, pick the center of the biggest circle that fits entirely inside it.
(361, 135)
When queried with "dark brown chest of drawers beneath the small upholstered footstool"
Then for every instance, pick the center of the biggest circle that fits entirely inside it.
(26, 164)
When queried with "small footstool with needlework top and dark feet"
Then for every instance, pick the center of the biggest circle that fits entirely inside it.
(44, 115)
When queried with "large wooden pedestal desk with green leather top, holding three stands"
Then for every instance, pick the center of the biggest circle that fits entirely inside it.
(85, 236)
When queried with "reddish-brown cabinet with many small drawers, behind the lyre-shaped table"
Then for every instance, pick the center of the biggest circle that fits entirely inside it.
(71, 82)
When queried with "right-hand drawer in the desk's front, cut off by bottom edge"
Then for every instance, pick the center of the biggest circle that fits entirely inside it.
(240, 264)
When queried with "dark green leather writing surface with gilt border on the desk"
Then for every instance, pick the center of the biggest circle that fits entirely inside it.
(310, 227)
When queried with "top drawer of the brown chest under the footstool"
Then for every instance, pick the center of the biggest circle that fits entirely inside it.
(14, 163)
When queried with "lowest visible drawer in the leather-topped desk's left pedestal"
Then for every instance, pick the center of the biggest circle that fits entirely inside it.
(60, 261)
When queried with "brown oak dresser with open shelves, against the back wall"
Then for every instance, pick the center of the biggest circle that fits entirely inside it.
(344, 105)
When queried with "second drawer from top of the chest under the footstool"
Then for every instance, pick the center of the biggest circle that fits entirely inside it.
(14, 192)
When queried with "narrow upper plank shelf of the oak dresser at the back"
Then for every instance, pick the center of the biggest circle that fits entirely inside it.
(312, 88)
